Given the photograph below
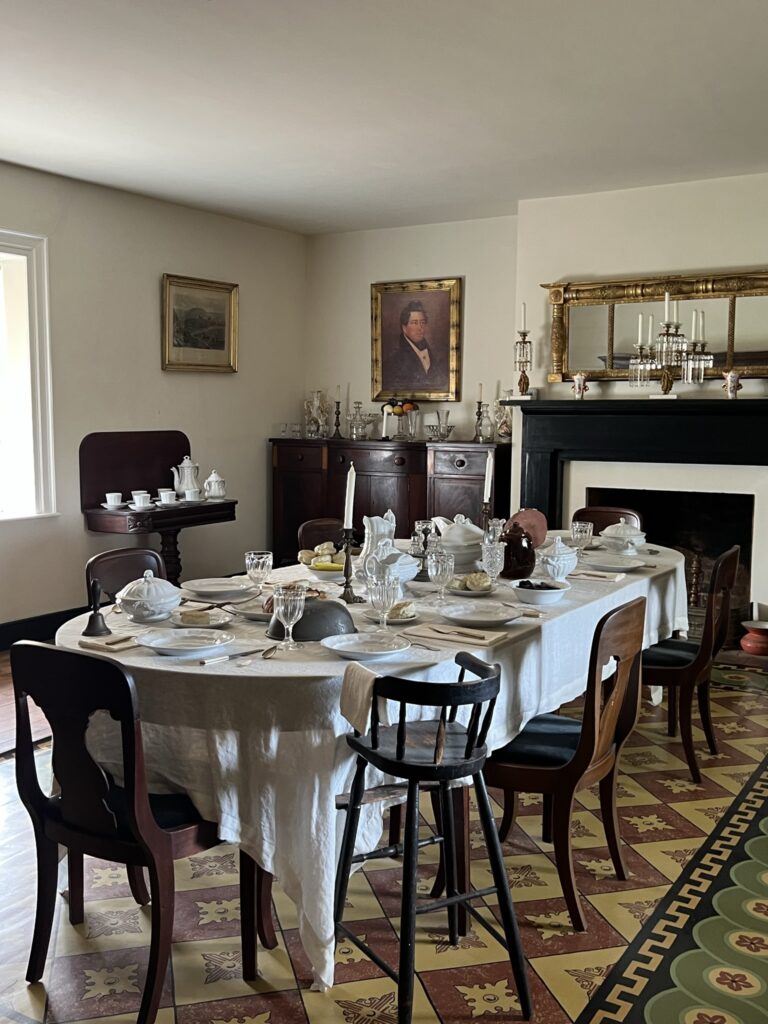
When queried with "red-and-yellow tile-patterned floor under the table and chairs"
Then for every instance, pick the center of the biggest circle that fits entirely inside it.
(96, 971)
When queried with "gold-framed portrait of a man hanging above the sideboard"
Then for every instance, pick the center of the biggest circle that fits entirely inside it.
(416, 339)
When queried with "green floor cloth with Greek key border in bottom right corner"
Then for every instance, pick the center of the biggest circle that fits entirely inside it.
(703, 958)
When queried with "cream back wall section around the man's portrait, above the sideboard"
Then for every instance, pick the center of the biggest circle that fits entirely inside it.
(343, 268)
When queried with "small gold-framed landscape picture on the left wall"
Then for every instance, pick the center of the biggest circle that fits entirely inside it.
(200, 325)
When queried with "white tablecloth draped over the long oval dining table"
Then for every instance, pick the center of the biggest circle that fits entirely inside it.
(261, 745)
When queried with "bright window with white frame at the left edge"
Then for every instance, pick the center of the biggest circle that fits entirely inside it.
(26, 423)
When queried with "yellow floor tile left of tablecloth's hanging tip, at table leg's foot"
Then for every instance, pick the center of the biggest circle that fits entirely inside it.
(214, 970)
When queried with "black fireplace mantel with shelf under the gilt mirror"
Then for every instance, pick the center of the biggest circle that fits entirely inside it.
(715, 433)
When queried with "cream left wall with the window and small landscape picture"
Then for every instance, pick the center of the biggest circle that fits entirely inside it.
(108, 251)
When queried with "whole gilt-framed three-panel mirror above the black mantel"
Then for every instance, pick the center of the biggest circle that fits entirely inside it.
(596, 325)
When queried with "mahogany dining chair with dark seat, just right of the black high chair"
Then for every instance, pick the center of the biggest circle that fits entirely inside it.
(557, 755)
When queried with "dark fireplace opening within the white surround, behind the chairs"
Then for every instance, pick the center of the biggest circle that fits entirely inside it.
(701, 526)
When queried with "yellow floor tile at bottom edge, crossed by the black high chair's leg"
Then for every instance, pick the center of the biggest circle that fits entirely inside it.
(375, 1001)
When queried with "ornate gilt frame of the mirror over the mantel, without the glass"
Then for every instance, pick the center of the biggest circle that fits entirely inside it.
(612, 292)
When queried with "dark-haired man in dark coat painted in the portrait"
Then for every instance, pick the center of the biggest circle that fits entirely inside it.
(413, 361)
